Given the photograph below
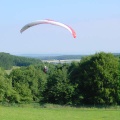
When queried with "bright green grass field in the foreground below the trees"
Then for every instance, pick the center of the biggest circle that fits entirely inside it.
(62, 113)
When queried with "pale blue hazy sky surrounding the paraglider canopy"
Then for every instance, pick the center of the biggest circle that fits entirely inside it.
(96, 23)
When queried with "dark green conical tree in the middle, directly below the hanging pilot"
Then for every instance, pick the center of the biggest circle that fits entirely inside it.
(58, 89)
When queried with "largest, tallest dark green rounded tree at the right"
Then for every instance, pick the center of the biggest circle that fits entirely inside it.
(99, 79)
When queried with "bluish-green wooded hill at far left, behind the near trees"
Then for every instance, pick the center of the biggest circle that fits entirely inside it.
(7, 60)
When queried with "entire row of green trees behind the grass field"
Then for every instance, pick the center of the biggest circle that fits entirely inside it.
(95, 80)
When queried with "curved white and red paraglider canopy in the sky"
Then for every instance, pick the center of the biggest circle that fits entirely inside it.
(47, 21)
